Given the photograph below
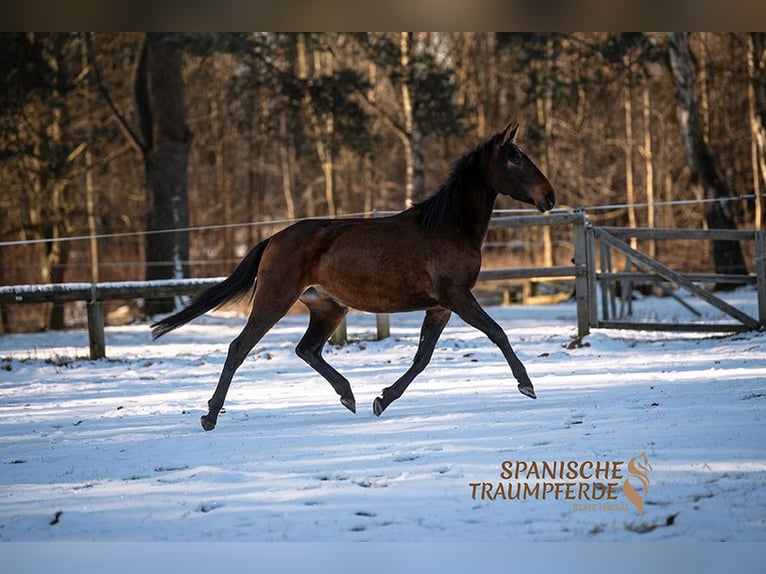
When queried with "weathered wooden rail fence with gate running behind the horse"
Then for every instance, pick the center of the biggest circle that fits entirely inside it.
(587, 279)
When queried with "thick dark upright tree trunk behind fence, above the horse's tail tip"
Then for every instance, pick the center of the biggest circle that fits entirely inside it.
(166, 139)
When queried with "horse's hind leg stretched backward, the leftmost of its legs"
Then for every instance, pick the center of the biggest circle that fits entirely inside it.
(267, 310)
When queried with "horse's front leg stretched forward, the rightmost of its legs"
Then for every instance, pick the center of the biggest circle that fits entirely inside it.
(467, 307)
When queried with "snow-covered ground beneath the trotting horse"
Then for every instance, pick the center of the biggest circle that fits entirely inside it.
(113, 449)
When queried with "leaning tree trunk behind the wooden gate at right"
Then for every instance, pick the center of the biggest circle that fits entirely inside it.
(727, 255)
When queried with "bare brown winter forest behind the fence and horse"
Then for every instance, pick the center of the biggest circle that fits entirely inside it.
(131, 156)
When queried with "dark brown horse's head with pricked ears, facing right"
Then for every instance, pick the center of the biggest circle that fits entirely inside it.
(511, 172)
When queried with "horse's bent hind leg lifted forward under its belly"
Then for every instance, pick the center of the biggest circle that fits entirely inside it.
(326, 315)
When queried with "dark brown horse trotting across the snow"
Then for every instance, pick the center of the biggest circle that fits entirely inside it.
(425, 258)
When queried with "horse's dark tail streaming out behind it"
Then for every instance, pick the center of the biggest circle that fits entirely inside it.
(233, 288)
